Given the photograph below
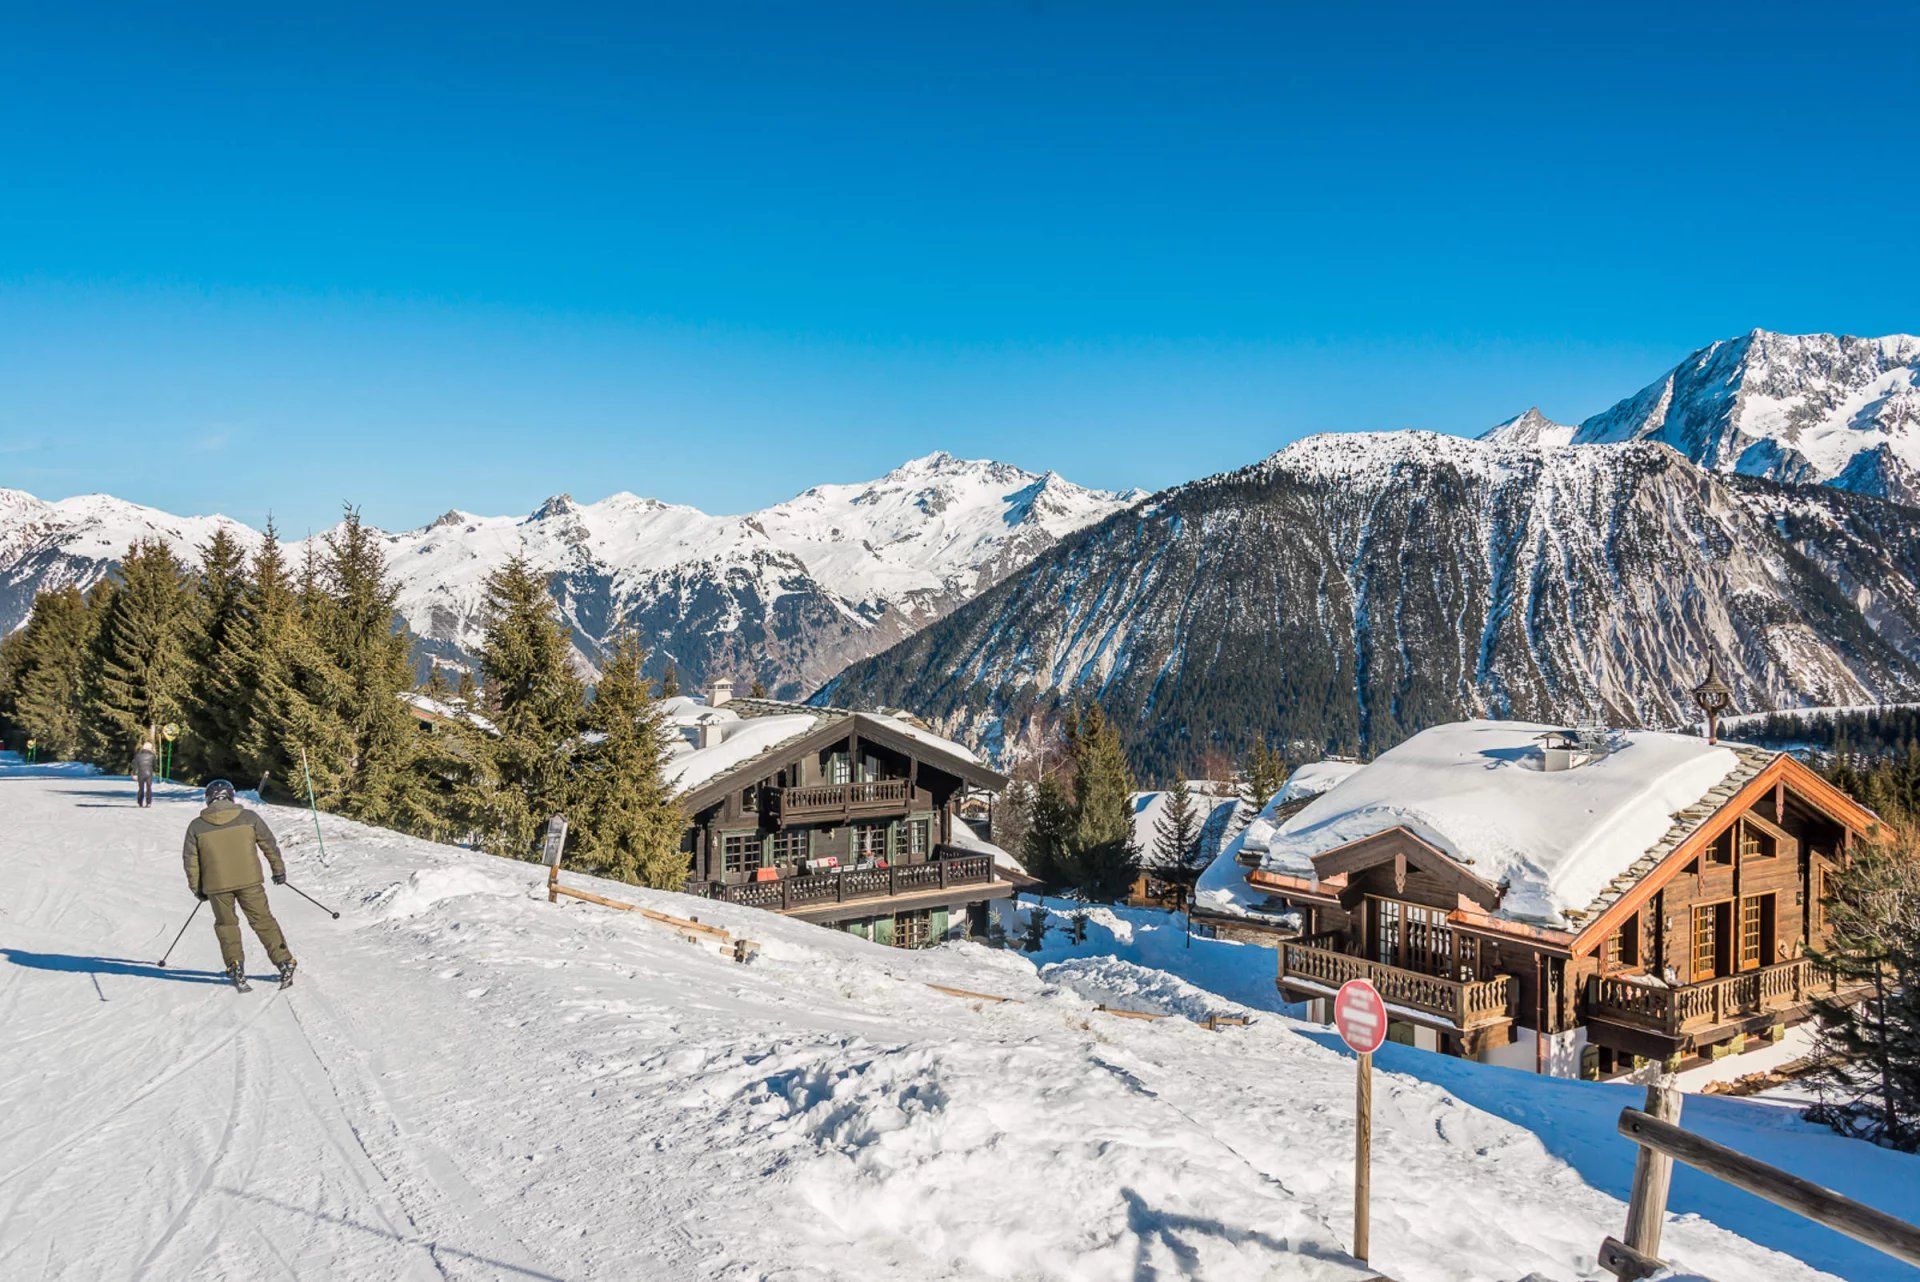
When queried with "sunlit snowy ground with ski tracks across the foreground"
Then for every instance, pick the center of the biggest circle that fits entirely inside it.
(473, 1083)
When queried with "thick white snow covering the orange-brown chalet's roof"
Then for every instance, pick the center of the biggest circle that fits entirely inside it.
(1477, 792)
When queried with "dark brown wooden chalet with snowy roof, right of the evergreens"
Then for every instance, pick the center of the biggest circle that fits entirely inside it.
(832, 817)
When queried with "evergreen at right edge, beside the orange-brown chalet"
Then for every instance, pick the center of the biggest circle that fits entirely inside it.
(1873, 1047)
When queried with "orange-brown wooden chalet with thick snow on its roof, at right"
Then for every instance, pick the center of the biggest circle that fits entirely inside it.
(1556, 907)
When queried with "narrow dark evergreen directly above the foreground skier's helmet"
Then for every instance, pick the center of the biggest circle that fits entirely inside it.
(216, 719)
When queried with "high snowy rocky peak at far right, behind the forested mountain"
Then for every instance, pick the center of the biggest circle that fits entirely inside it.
(1794, 408)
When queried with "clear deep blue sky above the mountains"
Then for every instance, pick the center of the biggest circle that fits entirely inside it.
(279, 258)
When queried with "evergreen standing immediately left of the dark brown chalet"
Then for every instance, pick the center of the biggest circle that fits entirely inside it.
(627, 822)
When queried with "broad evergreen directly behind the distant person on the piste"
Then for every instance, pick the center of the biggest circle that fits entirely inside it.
(137, 671)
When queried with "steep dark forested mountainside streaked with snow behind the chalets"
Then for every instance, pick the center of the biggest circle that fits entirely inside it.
(1353, 590)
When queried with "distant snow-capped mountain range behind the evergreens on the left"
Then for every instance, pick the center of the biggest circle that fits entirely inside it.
(788, 596)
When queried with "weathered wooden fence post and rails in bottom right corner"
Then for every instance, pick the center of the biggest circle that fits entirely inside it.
(1662, 1145)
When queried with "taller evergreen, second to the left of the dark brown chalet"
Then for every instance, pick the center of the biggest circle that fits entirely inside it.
(535, 701)
